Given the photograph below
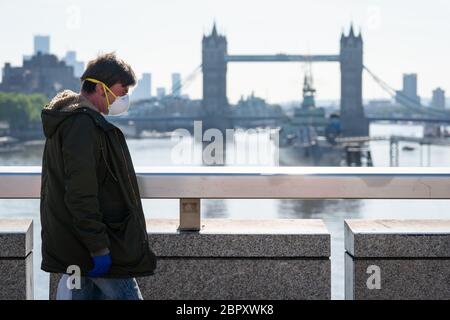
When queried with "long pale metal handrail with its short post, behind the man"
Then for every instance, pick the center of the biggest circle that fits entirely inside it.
(190, 184)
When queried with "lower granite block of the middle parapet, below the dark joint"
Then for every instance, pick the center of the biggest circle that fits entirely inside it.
(240, 279)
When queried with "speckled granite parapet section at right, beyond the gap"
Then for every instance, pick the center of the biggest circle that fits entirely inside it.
(397, 259)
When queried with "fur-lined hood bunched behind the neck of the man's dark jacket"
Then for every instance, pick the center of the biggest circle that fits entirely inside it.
(65, 104)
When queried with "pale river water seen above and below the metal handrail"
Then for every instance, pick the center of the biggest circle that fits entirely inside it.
(160, 152)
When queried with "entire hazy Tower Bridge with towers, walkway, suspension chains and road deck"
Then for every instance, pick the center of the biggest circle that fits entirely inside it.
(215, 106)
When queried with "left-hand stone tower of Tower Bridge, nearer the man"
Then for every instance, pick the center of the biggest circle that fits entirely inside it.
(214, 67)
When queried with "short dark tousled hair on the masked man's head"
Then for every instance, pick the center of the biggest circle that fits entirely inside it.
(110, 70)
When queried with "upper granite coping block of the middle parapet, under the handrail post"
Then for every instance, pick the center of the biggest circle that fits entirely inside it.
(241, 238)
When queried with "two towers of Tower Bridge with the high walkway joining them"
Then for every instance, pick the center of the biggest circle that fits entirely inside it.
(215, 59)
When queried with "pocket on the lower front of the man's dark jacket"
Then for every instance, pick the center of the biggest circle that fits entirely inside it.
(126, 242)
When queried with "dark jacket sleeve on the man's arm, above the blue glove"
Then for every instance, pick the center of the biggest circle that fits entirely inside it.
(81, 151)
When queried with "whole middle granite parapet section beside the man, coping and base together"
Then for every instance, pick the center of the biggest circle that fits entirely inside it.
(238, 259)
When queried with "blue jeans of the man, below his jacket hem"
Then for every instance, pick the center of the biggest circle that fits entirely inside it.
(99, 289)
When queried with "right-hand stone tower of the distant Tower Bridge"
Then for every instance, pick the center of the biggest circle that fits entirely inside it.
(353, 120)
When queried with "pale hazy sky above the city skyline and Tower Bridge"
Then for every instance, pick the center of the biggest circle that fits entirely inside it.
(164, 36)
